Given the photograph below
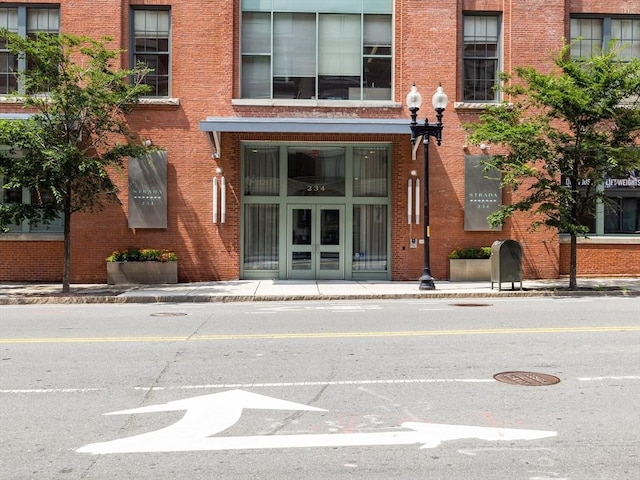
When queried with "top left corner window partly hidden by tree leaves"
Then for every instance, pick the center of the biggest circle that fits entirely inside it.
(25, 21)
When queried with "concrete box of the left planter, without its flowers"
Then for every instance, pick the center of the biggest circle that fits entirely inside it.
(123, 273)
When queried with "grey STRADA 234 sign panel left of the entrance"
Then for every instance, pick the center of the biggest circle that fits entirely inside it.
(148, 191)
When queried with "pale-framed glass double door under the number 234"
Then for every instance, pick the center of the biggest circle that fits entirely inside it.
(315, 245)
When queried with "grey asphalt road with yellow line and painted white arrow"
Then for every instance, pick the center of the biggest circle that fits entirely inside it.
(318, 390)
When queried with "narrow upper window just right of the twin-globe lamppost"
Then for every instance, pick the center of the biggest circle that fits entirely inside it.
(481, 58)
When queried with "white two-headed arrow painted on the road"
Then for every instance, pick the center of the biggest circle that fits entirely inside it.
(210, 414)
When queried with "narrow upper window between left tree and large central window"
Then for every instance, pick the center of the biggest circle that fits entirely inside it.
(150, 46)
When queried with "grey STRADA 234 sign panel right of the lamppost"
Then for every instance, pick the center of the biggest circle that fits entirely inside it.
(482, 194)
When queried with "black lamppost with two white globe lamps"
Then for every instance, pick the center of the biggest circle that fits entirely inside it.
(426, 130)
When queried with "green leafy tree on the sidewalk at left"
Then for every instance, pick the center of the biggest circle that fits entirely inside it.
(79, 100)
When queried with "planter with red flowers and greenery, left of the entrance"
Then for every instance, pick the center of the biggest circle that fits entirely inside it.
(142, 266)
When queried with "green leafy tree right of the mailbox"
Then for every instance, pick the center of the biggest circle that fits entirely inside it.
(564, 134)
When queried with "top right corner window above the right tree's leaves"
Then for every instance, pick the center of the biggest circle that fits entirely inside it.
(590, 35)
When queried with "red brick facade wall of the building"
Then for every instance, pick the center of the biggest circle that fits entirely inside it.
(205, 79)
